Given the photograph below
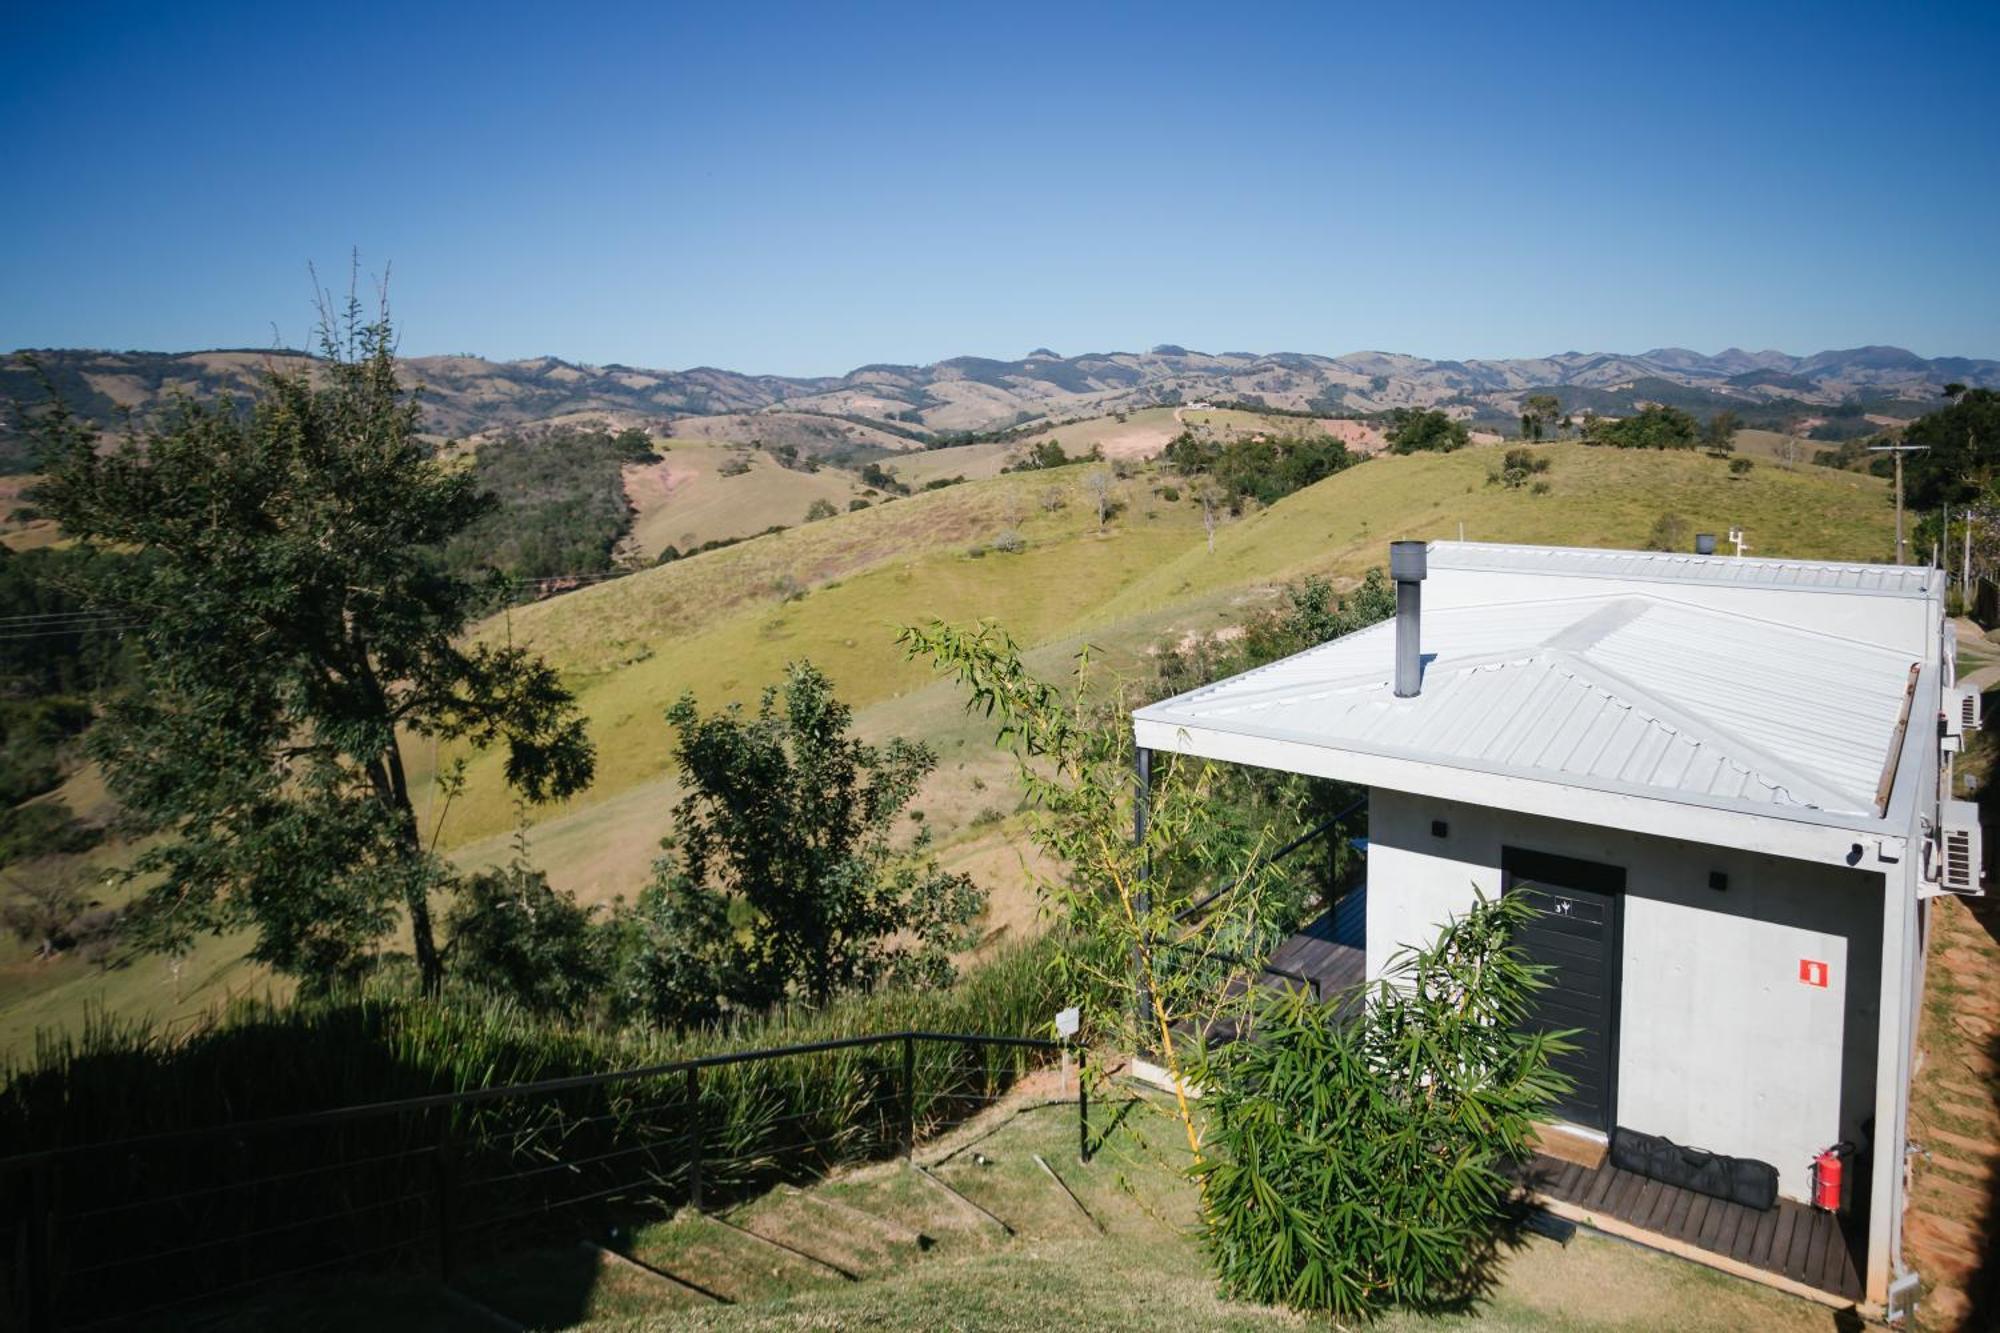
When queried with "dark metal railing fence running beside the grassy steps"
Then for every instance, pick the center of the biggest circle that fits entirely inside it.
(143, 1230)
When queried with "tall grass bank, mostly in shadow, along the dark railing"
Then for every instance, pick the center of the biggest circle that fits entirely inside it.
(143, 1224)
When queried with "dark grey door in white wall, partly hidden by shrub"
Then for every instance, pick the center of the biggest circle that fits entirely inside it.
(1575, 934)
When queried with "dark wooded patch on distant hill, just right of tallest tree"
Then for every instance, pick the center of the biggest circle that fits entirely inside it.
(559, 503)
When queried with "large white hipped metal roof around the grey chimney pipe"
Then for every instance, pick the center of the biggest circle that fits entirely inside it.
(1629, 692)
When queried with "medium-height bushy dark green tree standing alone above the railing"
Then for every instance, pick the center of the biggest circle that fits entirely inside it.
(787, 876)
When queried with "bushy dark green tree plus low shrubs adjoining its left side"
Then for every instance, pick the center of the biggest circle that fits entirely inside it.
(789, 880)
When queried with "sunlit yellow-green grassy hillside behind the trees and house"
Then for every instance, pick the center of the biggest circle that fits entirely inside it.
(725, 623)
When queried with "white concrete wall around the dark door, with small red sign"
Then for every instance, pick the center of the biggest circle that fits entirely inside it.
(1721, 1046)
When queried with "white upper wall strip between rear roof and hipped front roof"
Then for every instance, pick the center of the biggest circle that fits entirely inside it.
(1905, 623)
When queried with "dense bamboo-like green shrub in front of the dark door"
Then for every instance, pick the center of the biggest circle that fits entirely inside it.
(1359, 1166)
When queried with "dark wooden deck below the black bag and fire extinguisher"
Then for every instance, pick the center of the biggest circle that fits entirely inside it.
(1793, 1242)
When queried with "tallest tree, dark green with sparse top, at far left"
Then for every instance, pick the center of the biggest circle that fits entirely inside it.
(289, 625)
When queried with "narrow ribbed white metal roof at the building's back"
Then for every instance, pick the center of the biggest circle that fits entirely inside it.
(1685, 567)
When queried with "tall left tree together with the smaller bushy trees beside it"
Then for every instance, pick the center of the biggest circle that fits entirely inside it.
(291, 623)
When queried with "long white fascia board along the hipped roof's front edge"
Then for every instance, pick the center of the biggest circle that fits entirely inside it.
(1779, 836)
